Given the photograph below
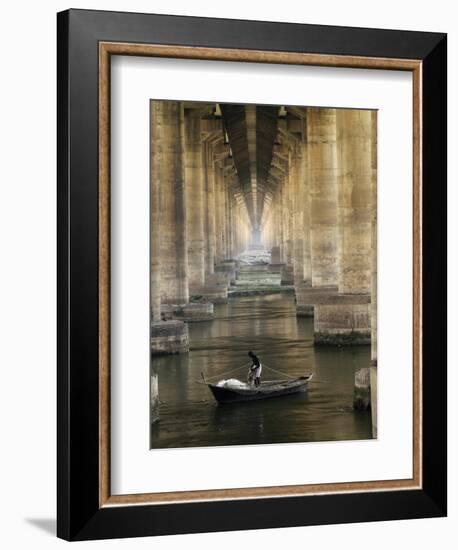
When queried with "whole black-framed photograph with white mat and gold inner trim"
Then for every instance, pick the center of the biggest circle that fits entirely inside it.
(251, 275)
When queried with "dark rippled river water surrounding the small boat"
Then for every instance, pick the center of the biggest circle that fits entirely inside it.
(189, 415)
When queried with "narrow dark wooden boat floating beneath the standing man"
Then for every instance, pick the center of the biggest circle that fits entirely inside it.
(267, 389)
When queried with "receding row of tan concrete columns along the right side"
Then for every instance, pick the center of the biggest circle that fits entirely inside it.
(320, 223)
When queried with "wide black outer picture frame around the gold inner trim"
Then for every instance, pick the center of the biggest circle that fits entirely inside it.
(78, 511)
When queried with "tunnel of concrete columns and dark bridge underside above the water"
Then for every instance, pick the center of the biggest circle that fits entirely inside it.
(299, 181)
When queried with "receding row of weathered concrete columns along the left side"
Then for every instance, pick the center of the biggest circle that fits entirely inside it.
(198, 221)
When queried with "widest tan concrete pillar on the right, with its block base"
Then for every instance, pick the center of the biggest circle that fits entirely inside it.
(346, 318)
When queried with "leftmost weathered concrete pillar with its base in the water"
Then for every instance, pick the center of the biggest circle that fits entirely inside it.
(169, 283)
